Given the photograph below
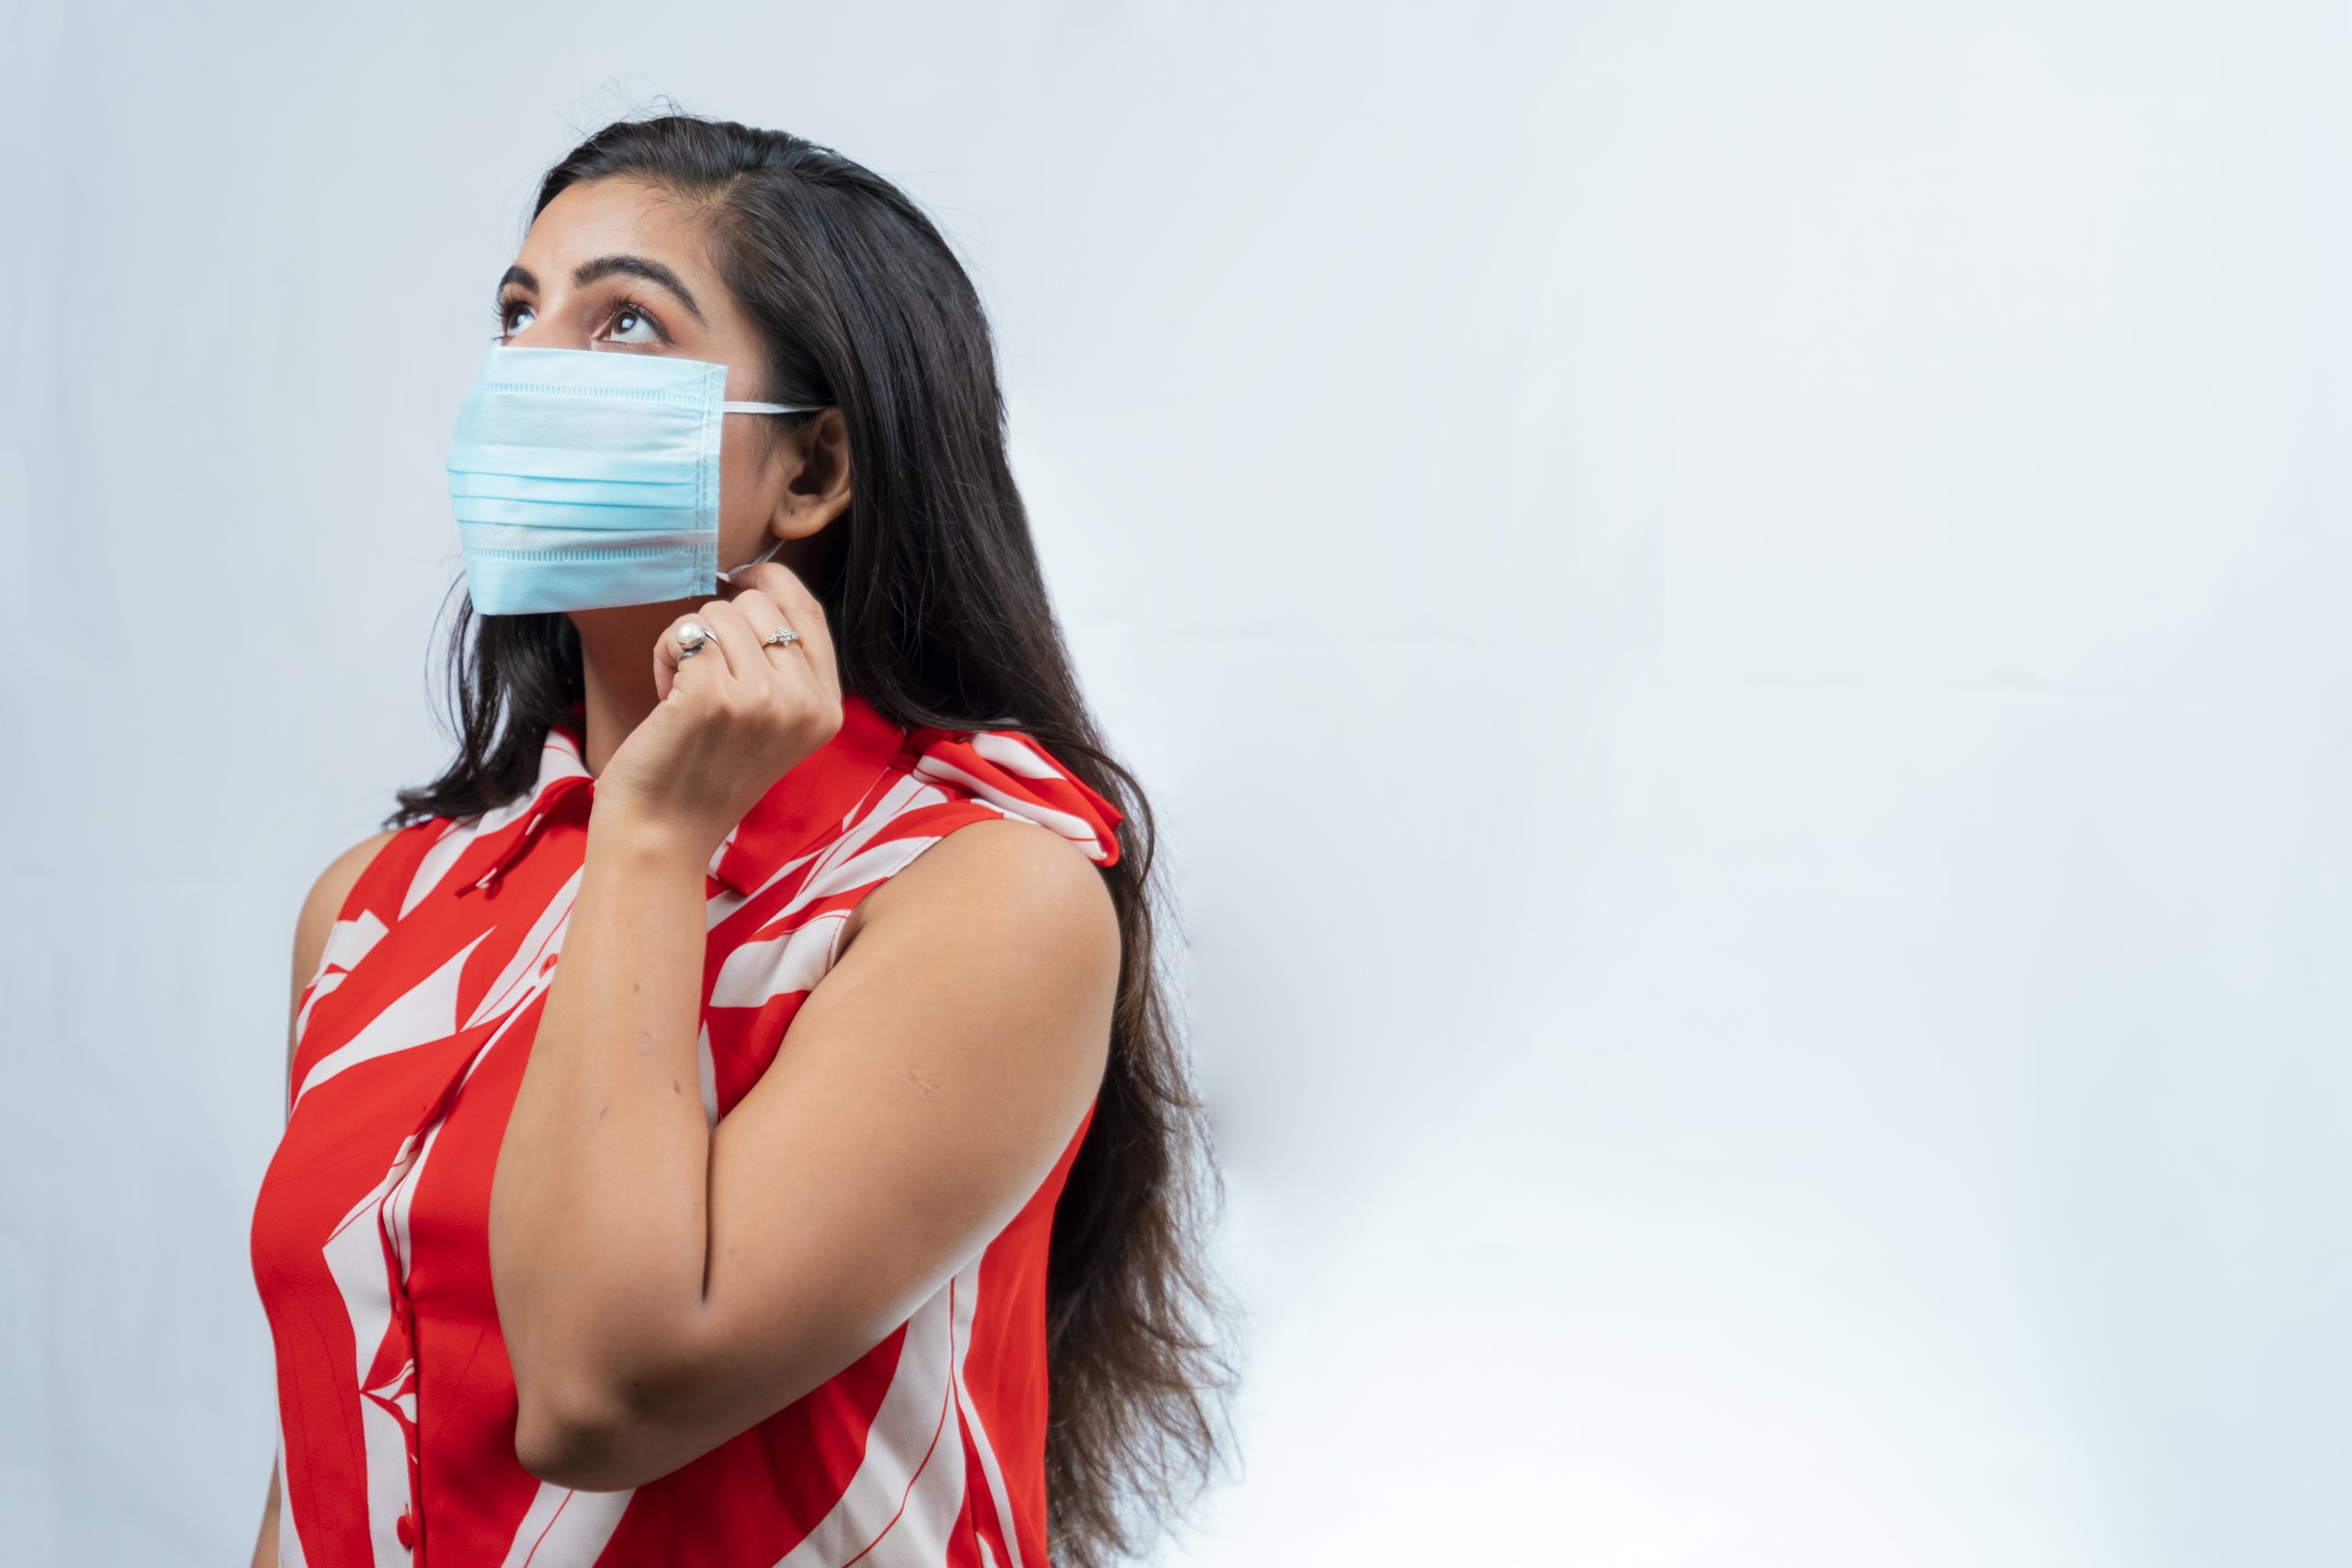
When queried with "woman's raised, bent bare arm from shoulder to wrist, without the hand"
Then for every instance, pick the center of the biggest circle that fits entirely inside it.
(664, 1287)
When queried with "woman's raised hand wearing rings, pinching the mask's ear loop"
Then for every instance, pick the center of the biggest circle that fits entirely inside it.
(733, 718)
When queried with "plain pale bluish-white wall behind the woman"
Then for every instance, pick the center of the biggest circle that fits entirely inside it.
(1737, 615)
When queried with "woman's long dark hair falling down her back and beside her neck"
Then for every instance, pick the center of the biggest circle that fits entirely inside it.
(940, 617)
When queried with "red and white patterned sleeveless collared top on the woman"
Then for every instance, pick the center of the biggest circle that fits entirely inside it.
(396, 1402)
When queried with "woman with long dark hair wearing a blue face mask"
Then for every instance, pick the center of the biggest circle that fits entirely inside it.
(838, 1195)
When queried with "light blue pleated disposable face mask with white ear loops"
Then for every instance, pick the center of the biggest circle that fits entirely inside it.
(589, 478)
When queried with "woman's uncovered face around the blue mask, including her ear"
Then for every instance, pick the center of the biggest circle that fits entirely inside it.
(613, 267)
